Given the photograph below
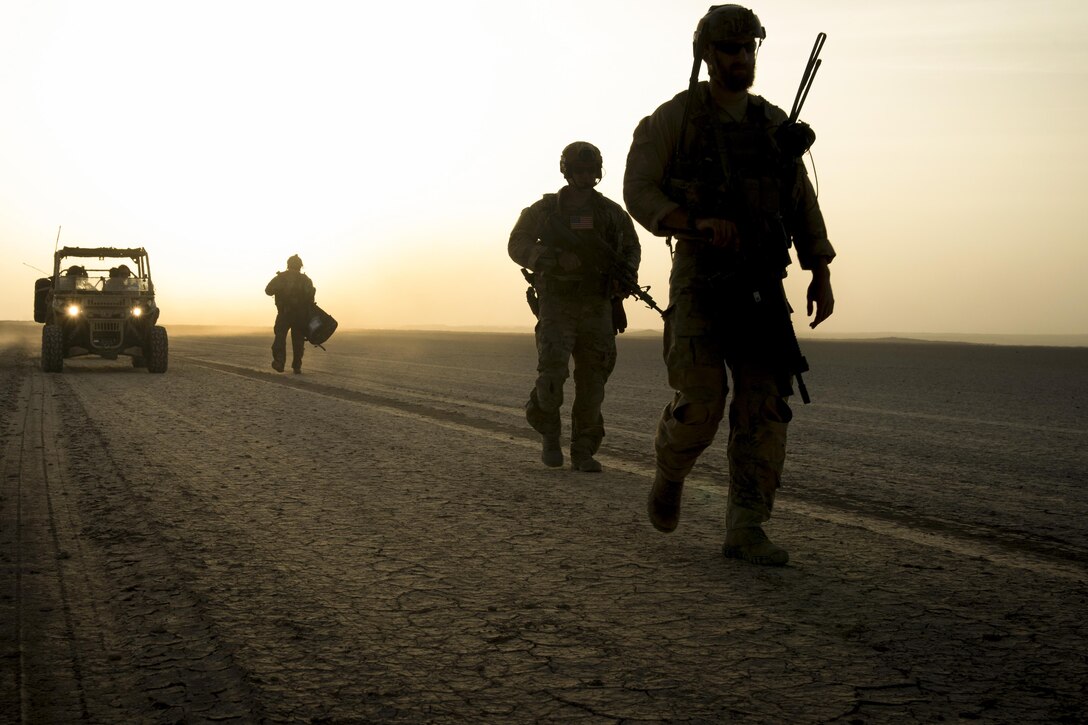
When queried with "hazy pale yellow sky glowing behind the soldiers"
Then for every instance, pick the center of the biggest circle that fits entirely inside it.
(394, 145)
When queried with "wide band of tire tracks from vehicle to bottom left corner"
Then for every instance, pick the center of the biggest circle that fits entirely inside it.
(105, 626)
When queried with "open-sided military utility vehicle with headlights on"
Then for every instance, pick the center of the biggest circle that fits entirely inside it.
(101, 301)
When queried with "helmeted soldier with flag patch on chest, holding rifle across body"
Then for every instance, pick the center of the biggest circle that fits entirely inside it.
(573, 242)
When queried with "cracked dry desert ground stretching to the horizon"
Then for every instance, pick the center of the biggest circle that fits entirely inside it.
(377, 542)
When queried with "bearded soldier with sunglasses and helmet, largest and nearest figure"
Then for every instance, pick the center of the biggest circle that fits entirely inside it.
(721, 170)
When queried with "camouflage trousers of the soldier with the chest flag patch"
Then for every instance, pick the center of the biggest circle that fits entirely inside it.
(579, 328)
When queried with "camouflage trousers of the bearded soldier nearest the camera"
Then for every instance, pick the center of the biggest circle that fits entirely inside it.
(698, 358)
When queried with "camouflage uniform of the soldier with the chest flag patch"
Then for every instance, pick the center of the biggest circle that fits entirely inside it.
(576, 310)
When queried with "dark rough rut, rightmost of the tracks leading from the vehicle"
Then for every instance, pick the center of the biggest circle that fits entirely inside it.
(175, 657)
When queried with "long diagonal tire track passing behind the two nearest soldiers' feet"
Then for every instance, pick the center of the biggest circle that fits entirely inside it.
(1000, 546)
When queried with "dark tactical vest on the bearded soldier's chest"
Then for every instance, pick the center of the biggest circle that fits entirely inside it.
(736, 171)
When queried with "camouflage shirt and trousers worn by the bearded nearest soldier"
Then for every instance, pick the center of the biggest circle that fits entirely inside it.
(711, 324)
